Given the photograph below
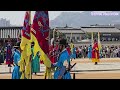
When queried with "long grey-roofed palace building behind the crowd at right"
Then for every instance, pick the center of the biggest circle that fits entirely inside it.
(108, 34)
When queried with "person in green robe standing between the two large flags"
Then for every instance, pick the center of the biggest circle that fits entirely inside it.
(35, 61)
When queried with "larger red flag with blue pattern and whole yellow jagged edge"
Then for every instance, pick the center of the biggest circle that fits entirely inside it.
(40, 33)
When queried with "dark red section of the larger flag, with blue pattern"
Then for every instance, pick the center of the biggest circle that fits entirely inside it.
(41, 25)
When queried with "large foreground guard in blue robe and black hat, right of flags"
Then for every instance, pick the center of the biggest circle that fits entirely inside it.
(63, 62)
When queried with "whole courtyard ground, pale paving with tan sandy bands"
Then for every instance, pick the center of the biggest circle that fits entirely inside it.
(84, 69)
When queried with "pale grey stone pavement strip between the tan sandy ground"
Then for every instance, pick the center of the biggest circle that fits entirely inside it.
(80, 67)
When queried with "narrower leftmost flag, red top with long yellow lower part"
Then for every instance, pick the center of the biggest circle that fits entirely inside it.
(25, 66)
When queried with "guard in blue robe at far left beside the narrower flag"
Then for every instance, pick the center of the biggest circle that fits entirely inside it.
(16, 74)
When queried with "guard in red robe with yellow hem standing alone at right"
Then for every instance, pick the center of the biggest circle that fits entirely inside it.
(95, 53)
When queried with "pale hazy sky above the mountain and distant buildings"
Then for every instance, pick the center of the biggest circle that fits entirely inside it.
(17, 17)
